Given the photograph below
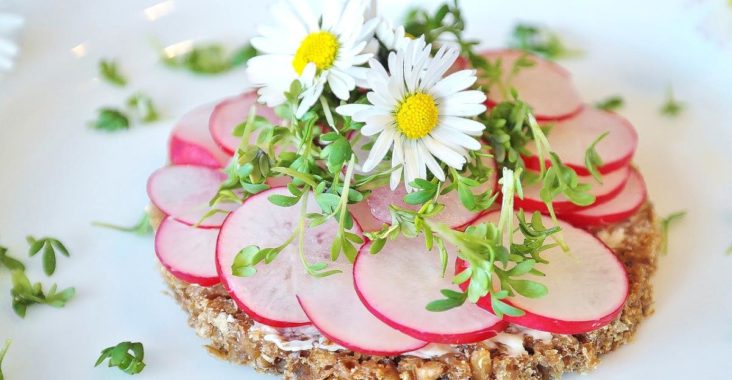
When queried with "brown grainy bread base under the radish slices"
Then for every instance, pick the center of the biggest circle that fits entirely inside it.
(215, 317)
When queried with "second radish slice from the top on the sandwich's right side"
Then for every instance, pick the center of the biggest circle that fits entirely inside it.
(571, 138)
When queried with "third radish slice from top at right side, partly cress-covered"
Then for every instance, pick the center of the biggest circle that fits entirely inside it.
(612, 185)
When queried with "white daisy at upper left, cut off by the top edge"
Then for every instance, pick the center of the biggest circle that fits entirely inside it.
(315, 49)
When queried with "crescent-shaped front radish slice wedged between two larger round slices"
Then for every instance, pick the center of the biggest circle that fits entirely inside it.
(334, 308)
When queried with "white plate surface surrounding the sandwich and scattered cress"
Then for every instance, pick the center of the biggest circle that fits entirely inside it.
(57, 175)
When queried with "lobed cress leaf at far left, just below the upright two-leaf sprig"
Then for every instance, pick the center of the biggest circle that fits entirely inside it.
(25, 294)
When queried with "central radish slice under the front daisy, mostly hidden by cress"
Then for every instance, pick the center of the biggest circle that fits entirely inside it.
(454, 214)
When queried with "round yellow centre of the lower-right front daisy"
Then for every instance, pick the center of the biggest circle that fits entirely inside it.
(417, 115)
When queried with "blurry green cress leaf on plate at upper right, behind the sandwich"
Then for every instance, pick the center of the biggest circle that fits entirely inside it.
(538, 40)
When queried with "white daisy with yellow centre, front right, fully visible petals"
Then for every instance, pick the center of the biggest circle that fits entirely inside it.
(419, 115)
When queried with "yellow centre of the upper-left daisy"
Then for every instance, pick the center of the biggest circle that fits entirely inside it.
(319, 48)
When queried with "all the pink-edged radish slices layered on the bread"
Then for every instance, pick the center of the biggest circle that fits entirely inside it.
(377, 305)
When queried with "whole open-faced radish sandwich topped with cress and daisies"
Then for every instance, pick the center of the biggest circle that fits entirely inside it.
(392, 204)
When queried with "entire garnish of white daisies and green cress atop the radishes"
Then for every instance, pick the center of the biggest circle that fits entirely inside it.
(335, 81)
